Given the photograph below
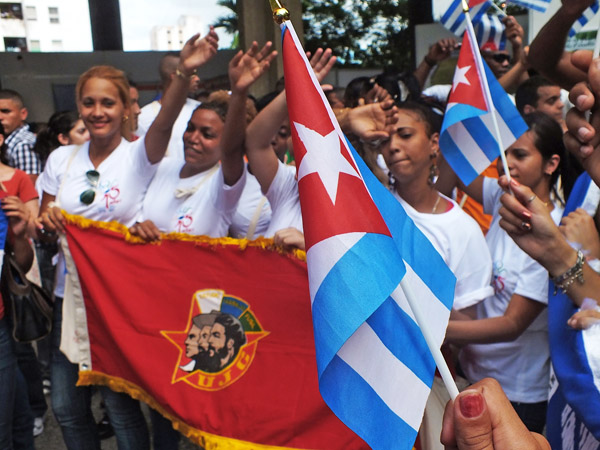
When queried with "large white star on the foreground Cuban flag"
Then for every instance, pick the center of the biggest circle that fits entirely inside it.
(323, 157)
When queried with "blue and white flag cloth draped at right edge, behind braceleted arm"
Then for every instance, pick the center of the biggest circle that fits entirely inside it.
(573, 412)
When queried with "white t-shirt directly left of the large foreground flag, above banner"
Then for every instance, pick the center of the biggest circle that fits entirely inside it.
(284, 200)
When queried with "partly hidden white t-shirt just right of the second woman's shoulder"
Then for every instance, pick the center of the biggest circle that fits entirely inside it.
(252, 199)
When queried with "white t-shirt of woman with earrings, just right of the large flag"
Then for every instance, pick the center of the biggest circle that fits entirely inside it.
(460, 243)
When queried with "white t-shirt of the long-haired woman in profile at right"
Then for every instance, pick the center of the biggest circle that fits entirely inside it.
(522, 367)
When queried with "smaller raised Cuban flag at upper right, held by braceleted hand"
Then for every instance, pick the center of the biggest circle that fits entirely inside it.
(468, 139)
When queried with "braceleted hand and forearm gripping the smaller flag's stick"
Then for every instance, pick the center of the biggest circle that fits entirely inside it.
(542, 240)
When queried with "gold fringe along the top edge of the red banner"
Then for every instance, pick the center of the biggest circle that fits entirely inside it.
(242, 244)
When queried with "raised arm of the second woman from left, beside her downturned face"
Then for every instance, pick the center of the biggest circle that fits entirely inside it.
(244, 70)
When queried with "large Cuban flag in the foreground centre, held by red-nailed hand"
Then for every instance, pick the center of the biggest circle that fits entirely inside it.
(375, 370)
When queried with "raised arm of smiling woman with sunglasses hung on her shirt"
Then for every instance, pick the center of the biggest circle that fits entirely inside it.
(194, 53)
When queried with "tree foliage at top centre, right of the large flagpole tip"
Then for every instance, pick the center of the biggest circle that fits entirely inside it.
(368, 33)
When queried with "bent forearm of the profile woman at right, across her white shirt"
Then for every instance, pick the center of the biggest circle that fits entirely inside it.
(521, 312)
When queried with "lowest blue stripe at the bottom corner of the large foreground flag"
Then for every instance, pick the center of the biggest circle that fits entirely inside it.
(342, 389)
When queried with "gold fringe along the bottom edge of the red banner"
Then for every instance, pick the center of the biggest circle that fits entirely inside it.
(207, 440)
